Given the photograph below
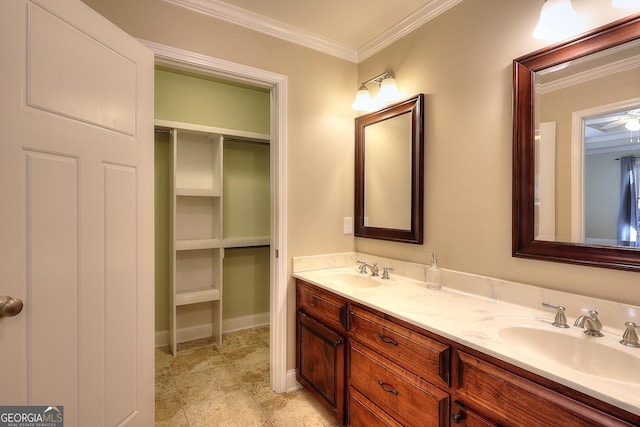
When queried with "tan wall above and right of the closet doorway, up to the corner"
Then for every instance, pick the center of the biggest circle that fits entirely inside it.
(320, 120)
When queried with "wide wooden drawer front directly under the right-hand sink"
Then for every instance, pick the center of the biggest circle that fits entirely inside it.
(514, 400)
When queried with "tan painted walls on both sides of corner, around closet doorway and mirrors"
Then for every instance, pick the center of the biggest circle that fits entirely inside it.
(462, 62)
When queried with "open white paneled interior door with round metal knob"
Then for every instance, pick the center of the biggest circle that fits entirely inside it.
(76, 215)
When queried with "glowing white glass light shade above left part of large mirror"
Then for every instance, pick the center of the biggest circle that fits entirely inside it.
(557, 21)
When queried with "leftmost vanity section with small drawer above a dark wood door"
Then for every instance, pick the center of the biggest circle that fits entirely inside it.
(321, 345)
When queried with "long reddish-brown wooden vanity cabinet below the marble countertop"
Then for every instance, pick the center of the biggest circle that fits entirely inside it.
(373, 369)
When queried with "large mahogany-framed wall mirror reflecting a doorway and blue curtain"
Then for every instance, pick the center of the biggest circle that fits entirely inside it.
(576, 150)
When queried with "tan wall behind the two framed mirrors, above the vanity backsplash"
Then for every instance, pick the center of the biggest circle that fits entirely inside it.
(462, 61)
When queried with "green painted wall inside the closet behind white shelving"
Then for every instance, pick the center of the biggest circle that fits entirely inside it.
(189, 98)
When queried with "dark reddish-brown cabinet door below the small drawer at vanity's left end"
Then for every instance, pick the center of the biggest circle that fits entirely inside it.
(320, 363)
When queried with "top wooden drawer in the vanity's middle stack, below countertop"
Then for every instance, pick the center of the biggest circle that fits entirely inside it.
(423, 356)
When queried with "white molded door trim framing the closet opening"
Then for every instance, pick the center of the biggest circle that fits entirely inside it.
(277, 84)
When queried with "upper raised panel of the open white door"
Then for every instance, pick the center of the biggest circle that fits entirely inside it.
(60, 83)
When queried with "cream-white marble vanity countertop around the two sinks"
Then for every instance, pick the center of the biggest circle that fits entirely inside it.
(476, 321)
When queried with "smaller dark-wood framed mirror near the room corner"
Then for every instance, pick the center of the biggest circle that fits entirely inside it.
(389, 165)
